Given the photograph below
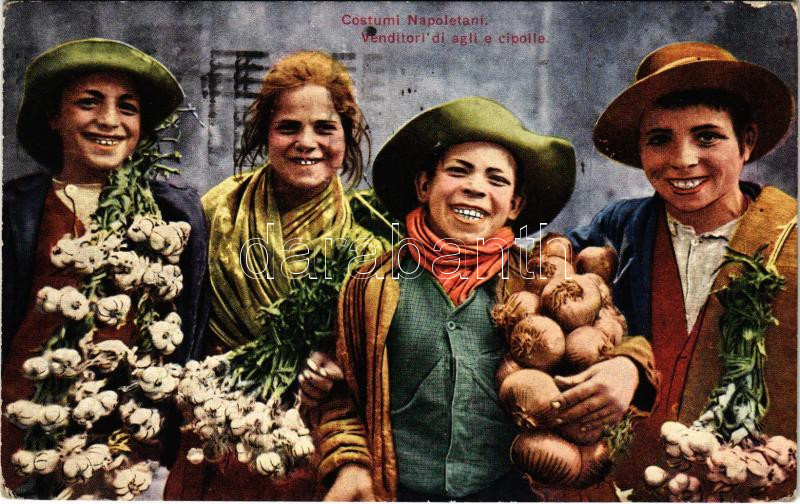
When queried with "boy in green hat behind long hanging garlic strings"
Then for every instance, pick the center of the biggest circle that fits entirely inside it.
(86, 104)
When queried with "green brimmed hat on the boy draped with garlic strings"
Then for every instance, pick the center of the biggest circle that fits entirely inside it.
(47, 74)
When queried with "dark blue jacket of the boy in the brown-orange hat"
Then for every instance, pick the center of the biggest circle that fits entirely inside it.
(630, 227)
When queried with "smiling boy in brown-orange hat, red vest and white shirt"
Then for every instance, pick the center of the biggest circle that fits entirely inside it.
(694, 116)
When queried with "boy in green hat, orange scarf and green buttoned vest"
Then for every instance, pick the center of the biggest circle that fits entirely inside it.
(418, 349)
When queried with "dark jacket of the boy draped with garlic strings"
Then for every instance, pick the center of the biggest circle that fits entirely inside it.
(23, 204)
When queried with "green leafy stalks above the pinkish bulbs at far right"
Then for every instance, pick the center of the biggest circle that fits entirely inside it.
(740, 400)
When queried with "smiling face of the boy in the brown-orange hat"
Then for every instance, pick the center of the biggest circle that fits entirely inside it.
(693, 159)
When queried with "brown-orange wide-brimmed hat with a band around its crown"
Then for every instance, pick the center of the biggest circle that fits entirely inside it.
(685, 66)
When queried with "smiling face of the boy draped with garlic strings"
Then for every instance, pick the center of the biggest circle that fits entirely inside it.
(98, 121)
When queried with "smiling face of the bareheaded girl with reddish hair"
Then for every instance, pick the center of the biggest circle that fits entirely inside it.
(306, 143)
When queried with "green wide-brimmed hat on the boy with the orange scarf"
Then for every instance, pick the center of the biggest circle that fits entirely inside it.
(545, 164)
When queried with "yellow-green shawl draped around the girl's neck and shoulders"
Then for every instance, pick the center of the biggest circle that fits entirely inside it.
(246, 229)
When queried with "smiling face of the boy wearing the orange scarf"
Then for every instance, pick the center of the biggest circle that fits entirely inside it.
(471, 194)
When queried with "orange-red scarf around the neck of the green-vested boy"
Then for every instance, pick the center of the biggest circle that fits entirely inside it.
(459, 268)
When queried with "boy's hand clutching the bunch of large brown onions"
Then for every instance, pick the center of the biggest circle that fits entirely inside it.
(599, 395)
